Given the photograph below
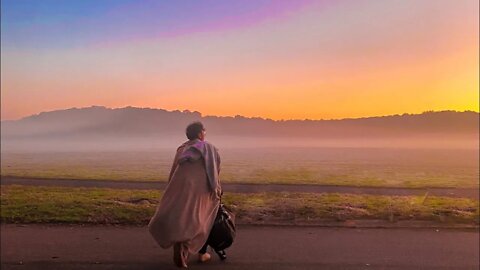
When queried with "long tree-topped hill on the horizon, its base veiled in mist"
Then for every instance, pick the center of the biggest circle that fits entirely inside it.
(102, 125)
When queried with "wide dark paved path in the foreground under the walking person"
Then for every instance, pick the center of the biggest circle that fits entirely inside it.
(97, 247)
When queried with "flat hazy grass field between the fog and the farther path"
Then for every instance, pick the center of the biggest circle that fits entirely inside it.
(377, 167)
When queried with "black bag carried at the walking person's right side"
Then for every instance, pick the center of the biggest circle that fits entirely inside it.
(223, 231)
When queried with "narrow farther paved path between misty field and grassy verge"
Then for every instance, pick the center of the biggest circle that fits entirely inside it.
(249, 188)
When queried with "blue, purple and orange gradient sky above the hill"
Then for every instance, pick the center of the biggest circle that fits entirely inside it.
(278, 59)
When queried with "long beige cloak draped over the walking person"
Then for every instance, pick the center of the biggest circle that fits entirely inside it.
(190, 202)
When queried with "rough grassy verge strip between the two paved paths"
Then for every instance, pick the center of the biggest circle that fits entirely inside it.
(25, 204)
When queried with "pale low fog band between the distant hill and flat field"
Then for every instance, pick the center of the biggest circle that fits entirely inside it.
(230, 142)
